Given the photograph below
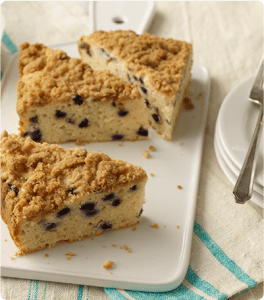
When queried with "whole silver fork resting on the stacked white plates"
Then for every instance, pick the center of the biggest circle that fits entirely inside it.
(244, 185)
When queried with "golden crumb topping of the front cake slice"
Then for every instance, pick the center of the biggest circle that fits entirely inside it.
(43, 174)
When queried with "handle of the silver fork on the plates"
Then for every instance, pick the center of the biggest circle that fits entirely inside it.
(244, 185)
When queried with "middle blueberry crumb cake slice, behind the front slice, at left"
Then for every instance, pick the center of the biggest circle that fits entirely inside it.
(62, 99)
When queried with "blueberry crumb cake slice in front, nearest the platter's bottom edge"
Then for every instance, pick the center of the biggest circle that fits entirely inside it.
(52, 195)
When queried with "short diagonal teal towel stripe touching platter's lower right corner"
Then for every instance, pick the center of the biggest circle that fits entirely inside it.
(203, 285)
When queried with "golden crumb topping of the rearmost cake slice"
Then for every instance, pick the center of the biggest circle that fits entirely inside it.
(162, 60)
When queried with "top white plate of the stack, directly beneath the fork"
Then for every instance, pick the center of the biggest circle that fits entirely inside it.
(237, 119)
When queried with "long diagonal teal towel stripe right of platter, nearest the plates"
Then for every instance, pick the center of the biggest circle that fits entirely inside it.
(220, 255)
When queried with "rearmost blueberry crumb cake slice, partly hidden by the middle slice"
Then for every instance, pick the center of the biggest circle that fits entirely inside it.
(161, 68)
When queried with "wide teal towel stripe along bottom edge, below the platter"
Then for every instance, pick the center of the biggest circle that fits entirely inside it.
(180, 293)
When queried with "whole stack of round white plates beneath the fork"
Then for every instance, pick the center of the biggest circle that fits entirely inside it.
(235, 126)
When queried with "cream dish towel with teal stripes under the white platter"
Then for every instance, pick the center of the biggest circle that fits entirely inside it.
(227, 246)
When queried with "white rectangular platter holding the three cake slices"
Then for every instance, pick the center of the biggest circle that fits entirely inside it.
(159, 256)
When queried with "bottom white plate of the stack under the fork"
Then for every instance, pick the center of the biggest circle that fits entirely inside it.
(257, 198)
